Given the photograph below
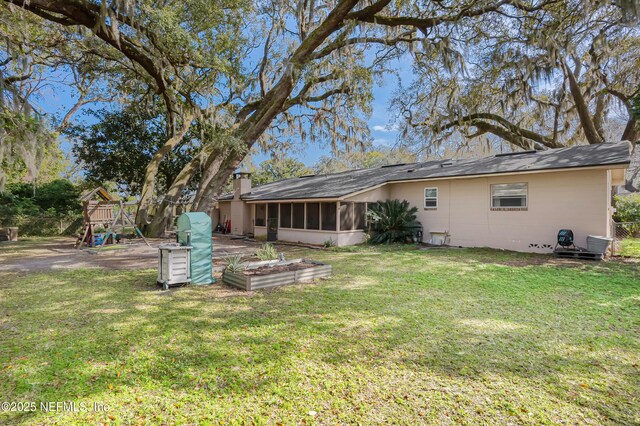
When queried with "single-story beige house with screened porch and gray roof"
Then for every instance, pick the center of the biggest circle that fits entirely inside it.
(515, 201)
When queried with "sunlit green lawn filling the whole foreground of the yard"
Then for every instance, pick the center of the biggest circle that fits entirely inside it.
(398, 335)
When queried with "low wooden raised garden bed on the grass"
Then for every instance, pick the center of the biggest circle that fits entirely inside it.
(273, 273)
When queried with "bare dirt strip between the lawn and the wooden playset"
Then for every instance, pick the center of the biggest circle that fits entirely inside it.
(58, 254)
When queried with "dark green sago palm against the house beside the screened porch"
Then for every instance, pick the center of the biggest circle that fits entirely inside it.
(392, 221)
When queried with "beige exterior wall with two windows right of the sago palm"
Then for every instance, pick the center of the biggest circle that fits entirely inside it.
(578, 200)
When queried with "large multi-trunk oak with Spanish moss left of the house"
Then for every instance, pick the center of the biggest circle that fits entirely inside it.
(257, 72)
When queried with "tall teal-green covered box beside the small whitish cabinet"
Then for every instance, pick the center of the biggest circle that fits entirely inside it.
(194, 230)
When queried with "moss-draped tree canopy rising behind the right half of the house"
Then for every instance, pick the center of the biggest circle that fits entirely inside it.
(555, 77)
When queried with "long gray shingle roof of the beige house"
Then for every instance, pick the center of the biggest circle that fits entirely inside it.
(340, 184)
